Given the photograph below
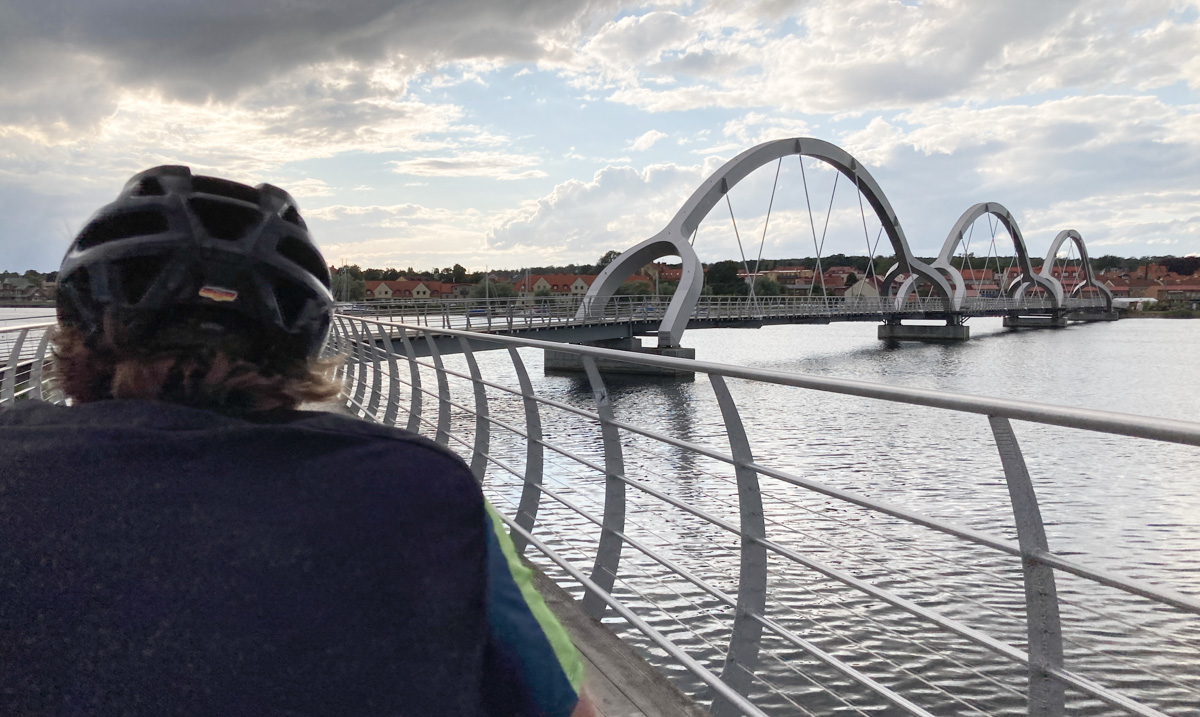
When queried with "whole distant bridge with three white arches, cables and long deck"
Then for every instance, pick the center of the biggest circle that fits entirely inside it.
(909, 290)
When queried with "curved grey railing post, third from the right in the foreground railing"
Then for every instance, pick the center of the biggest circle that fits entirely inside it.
(604, 571)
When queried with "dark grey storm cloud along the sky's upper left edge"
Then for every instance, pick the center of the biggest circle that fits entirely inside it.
(62, 61)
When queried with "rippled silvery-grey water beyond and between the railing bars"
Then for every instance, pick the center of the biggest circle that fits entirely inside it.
(1127, 505)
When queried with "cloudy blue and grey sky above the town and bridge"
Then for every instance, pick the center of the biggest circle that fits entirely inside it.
(508, 134)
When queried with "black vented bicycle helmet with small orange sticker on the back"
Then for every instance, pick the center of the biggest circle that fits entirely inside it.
(182, 261)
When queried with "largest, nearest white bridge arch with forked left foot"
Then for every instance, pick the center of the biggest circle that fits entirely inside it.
(673, 240)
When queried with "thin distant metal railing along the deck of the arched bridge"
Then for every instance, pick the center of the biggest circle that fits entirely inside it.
(525, 314)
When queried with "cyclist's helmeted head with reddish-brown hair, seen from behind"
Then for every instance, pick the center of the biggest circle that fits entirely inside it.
(196, 291)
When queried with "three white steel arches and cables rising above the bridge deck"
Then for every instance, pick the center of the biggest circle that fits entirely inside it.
(1037, 293)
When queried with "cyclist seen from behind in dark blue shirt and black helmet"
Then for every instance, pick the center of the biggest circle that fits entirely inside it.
(184, 540)
